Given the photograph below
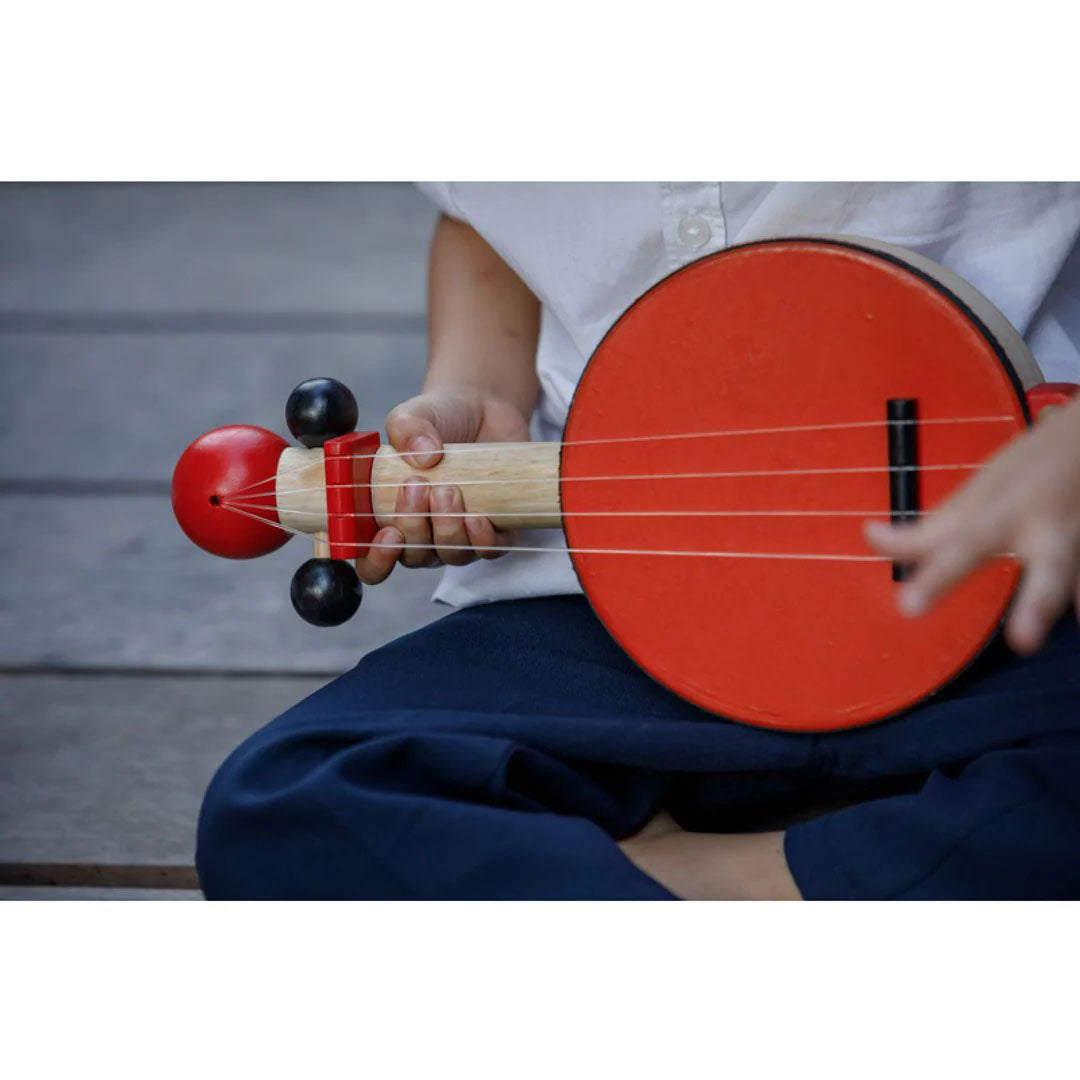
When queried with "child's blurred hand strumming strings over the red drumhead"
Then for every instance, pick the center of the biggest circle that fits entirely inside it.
(1027, 503)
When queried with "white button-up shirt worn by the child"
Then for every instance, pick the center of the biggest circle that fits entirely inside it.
(588, 251)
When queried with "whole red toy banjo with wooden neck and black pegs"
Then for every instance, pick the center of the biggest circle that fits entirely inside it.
(730, 438)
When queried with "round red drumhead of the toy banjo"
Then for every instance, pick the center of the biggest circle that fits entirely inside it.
(724, 449)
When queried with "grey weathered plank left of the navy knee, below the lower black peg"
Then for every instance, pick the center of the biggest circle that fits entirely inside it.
(111, 772)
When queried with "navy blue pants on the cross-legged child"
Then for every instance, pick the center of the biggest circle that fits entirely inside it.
(504, 750)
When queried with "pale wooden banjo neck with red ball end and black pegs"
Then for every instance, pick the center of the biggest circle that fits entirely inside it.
(241, 492)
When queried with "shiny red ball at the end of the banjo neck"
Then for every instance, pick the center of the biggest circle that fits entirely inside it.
(229, 468)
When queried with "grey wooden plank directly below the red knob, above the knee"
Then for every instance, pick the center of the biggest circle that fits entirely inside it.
(113, 583)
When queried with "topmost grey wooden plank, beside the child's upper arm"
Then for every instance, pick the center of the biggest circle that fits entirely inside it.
(183, 248)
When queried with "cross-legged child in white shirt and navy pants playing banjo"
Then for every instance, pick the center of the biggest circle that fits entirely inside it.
(512, 750)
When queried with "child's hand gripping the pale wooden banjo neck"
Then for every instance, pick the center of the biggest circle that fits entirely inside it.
(421, 427)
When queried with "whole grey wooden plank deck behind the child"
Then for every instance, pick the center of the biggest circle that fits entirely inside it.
(133, 318)
